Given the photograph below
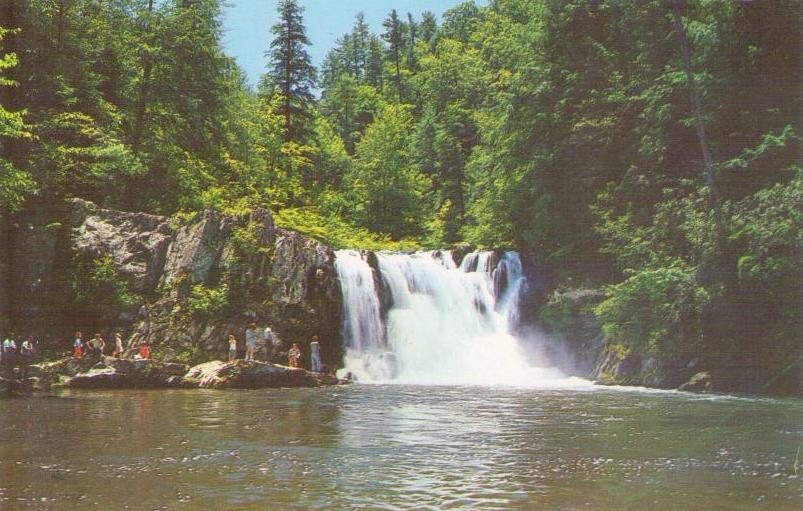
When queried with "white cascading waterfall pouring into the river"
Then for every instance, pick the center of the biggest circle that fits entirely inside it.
(423, 319)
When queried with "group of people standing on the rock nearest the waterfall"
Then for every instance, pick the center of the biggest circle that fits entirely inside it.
(257, 339)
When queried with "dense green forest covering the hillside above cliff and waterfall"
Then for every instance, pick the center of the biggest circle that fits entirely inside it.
(647, 148)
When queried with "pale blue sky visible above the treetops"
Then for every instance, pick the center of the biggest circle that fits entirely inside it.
(247, 25)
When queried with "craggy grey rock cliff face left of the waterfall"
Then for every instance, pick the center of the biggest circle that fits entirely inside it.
(182, 288)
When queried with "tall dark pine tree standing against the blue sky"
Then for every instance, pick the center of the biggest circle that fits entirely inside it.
(291, 69)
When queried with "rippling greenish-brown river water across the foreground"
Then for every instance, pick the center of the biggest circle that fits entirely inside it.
(370, 446)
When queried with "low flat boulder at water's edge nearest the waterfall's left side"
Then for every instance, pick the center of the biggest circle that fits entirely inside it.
(252, 375)
